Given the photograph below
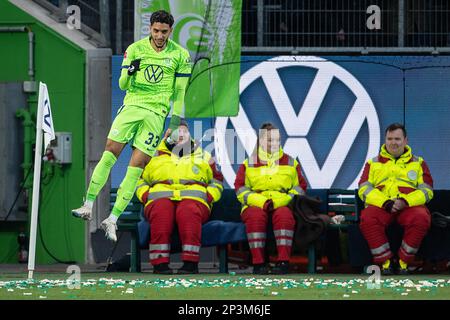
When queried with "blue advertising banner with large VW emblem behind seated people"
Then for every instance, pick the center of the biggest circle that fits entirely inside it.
(332, 112)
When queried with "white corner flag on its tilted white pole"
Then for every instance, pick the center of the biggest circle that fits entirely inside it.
(44, 123)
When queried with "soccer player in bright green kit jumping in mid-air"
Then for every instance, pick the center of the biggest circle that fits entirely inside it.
(153, 70)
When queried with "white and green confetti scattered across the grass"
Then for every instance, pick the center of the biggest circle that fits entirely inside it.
(269, 286)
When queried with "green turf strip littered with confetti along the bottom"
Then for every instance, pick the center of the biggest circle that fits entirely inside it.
(141, 286)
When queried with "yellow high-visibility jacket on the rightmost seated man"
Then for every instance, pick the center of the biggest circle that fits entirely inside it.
(386, 178)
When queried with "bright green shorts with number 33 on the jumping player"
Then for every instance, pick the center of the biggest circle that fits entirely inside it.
(142, 126)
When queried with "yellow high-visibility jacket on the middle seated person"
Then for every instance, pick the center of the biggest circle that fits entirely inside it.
(266, 176)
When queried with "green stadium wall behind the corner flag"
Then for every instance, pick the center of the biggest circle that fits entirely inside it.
(61, 65)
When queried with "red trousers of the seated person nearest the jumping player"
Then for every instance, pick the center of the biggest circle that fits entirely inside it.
(189, 216)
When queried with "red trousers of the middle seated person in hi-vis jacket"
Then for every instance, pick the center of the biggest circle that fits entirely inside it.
(256, 219)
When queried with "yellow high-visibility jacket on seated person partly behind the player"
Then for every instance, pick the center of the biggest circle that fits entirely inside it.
(192, 176)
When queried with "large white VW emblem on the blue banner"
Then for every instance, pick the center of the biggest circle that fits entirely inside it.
(298, 125)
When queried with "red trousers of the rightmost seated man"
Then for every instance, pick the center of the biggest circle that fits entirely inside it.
(414, 220)
